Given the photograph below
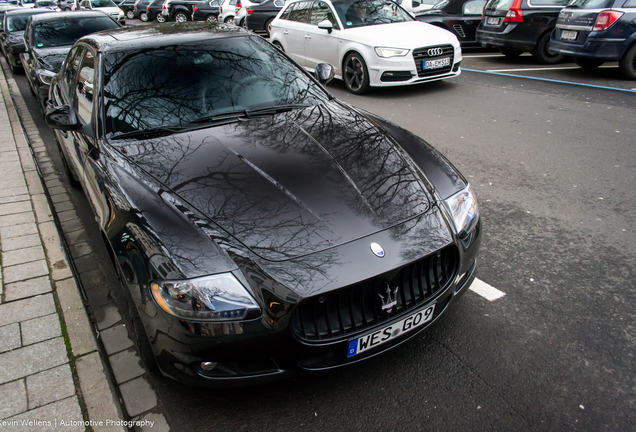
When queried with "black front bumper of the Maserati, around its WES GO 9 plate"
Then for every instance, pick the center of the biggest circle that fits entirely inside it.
(265, 349)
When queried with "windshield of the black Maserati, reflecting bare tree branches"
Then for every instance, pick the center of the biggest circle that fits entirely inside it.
(174, 86)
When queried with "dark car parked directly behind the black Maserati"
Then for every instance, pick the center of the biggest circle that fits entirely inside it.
(48, 38)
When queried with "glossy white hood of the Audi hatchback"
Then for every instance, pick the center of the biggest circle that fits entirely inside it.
(412, 34)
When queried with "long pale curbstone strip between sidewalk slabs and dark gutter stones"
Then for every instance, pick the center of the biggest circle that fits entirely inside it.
(97, 396)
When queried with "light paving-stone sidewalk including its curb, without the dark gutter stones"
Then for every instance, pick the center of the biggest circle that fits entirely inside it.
(52, 375)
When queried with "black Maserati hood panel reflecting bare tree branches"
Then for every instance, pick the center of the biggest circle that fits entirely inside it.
(290, 184)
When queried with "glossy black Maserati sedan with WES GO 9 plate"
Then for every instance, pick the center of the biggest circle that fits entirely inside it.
(259, 225)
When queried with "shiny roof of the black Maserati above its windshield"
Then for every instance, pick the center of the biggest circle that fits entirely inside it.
(158, 35)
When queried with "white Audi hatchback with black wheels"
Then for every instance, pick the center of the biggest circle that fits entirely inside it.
(371, 43)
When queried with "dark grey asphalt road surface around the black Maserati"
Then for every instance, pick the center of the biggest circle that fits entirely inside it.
(553, 166)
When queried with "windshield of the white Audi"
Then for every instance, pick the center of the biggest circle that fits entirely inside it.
(369, 12)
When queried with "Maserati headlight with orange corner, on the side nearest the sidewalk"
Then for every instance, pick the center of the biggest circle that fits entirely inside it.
(210, 298)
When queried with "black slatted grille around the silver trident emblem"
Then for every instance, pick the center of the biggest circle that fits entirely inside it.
(358, 307)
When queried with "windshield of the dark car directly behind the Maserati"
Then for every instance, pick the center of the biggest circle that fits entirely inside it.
(60, 32)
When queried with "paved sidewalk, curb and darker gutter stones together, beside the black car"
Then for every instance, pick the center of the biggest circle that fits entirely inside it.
(42, 314)
